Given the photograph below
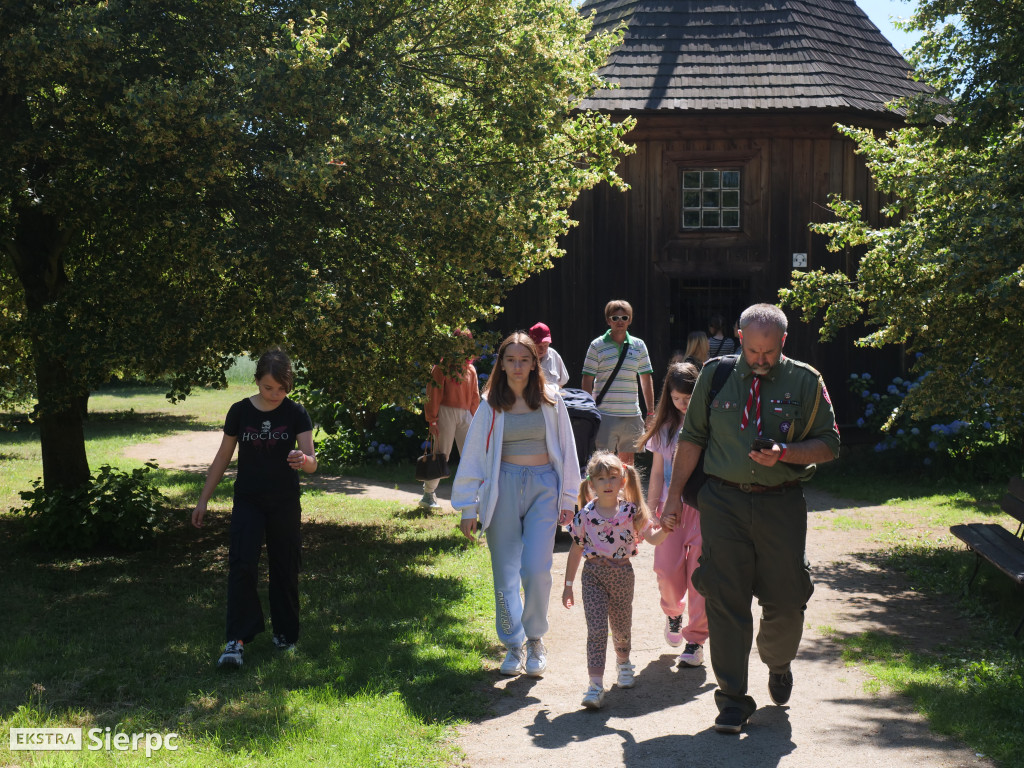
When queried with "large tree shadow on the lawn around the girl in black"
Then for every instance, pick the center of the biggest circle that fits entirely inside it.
(136, 637)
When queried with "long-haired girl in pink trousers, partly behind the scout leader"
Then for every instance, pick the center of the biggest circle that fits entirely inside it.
(676, 558)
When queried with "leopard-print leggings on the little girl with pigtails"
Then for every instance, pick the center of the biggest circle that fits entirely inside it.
(608, 599)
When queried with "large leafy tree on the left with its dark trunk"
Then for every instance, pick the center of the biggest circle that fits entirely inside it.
(186, 180)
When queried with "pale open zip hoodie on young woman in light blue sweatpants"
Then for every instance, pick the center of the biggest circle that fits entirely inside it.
(480, 463)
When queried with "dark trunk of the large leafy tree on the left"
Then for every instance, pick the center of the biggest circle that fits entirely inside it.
(37, 251)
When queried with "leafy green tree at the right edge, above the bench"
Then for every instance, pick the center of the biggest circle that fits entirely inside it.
(946, 278)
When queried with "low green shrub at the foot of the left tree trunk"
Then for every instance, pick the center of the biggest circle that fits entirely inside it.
(117, 510)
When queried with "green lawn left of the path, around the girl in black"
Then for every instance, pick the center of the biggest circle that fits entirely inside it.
(397, 621)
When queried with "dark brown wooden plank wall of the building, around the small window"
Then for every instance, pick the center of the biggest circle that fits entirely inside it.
(629, 244)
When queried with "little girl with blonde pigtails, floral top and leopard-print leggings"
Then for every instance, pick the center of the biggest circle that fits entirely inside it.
(608, 532)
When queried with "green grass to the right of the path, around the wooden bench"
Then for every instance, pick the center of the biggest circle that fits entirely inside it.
(971, 689)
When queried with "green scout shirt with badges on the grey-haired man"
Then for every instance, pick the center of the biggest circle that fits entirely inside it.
(788, 396)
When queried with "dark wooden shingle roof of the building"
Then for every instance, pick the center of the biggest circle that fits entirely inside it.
(748, 55)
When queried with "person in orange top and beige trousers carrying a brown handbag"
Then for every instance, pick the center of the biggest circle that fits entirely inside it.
(450, 408)
